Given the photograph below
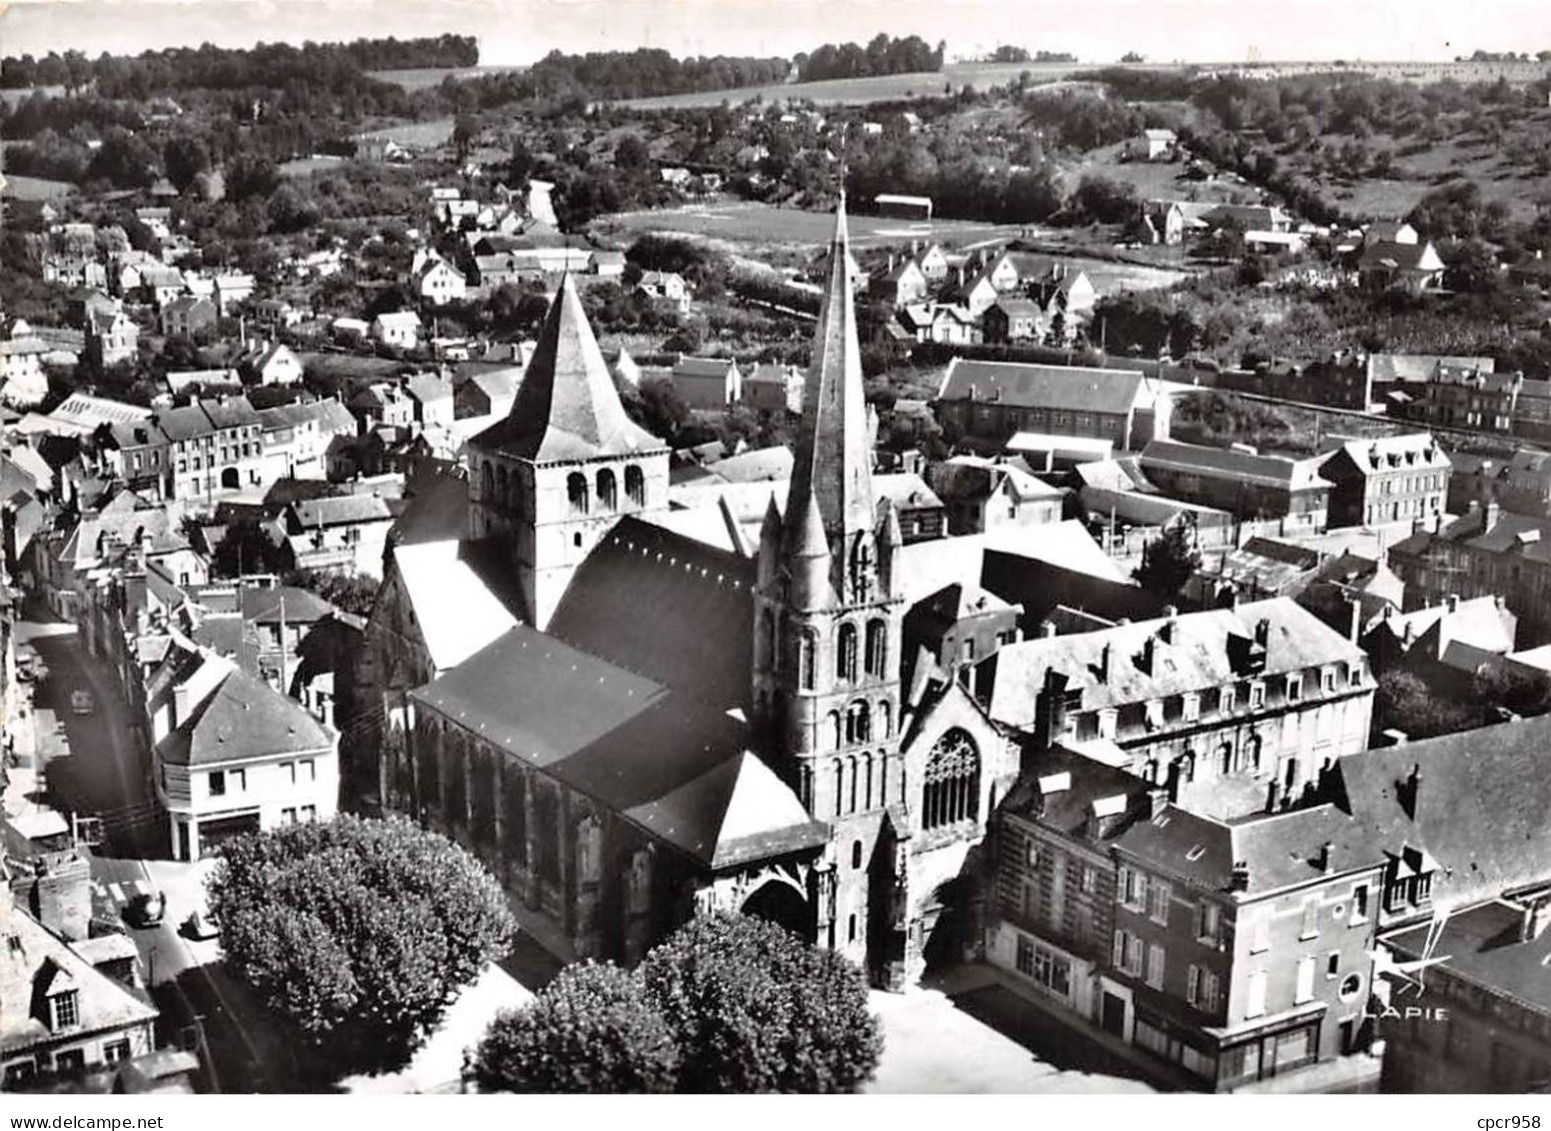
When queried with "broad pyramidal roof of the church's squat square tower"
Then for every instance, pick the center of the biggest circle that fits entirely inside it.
(568, 407)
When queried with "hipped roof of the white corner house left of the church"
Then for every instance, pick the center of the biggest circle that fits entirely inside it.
(243, 719)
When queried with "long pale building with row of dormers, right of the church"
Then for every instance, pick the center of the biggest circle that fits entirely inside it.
(1231, 710)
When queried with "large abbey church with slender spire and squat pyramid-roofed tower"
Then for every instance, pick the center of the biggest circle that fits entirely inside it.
(630, 724)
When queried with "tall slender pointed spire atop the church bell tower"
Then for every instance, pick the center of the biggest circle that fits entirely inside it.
(834, 466)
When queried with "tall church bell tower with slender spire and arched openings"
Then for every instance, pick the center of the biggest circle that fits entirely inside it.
(829, 618)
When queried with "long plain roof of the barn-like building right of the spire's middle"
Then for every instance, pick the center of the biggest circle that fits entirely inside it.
(1057, 387)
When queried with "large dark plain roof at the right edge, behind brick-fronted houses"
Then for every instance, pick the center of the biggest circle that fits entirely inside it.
(1480, 808)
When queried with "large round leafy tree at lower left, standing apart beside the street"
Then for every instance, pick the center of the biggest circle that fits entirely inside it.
(358, 933)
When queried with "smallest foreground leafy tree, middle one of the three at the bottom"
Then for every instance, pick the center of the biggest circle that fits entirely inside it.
(590, 1031)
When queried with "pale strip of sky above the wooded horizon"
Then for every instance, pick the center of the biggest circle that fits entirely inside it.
(517, 32)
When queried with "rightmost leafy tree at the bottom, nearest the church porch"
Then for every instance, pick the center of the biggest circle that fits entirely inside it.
(759, 1011)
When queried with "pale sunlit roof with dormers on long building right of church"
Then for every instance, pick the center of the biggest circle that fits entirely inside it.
(1197, 660)
